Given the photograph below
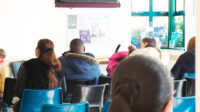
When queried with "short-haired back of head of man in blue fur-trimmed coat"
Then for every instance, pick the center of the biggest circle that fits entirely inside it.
(77, 45)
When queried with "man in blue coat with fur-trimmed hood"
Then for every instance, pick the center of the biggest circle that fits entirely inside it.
(78, 65)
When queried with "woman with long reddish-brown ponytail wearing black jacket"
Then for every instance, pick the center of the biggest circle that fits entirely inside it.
(43, 72)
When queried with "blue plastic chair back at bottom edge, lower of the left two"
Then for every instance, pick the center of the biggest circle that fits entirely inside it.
(76, 107)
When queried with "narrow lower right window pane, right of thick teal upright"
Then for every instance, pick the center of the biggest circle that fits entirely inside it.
(177, 40)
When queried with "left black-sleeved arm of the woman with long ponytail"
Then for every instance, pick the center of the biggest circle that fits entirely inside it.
(20, 83)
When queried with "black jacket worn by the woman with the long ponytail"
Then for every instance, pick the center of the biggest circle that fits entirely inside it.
(32, 75)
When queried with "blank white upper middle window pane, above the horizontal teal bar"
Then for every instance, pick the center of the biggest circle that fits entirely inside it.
(160, 5)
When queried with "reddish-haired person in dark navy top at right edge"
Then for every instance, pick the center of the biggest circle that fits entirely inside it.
(186, 62)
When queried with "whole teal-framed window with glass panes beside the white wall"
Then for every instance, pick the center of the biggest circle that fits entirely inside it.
(161, 19)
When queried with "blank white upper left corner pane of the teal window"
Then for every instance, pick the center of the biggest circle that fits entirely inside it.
(140, 5)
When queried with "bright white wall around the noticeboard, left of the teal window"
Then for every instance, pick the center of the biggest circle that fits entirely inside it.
(24, 22)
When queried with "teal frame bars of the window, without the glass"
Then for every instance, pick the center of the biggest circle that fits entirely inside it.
(171, 14)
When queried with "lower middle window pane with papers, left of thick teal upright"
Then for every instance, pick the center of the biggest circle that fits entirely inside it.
(160, 31)
